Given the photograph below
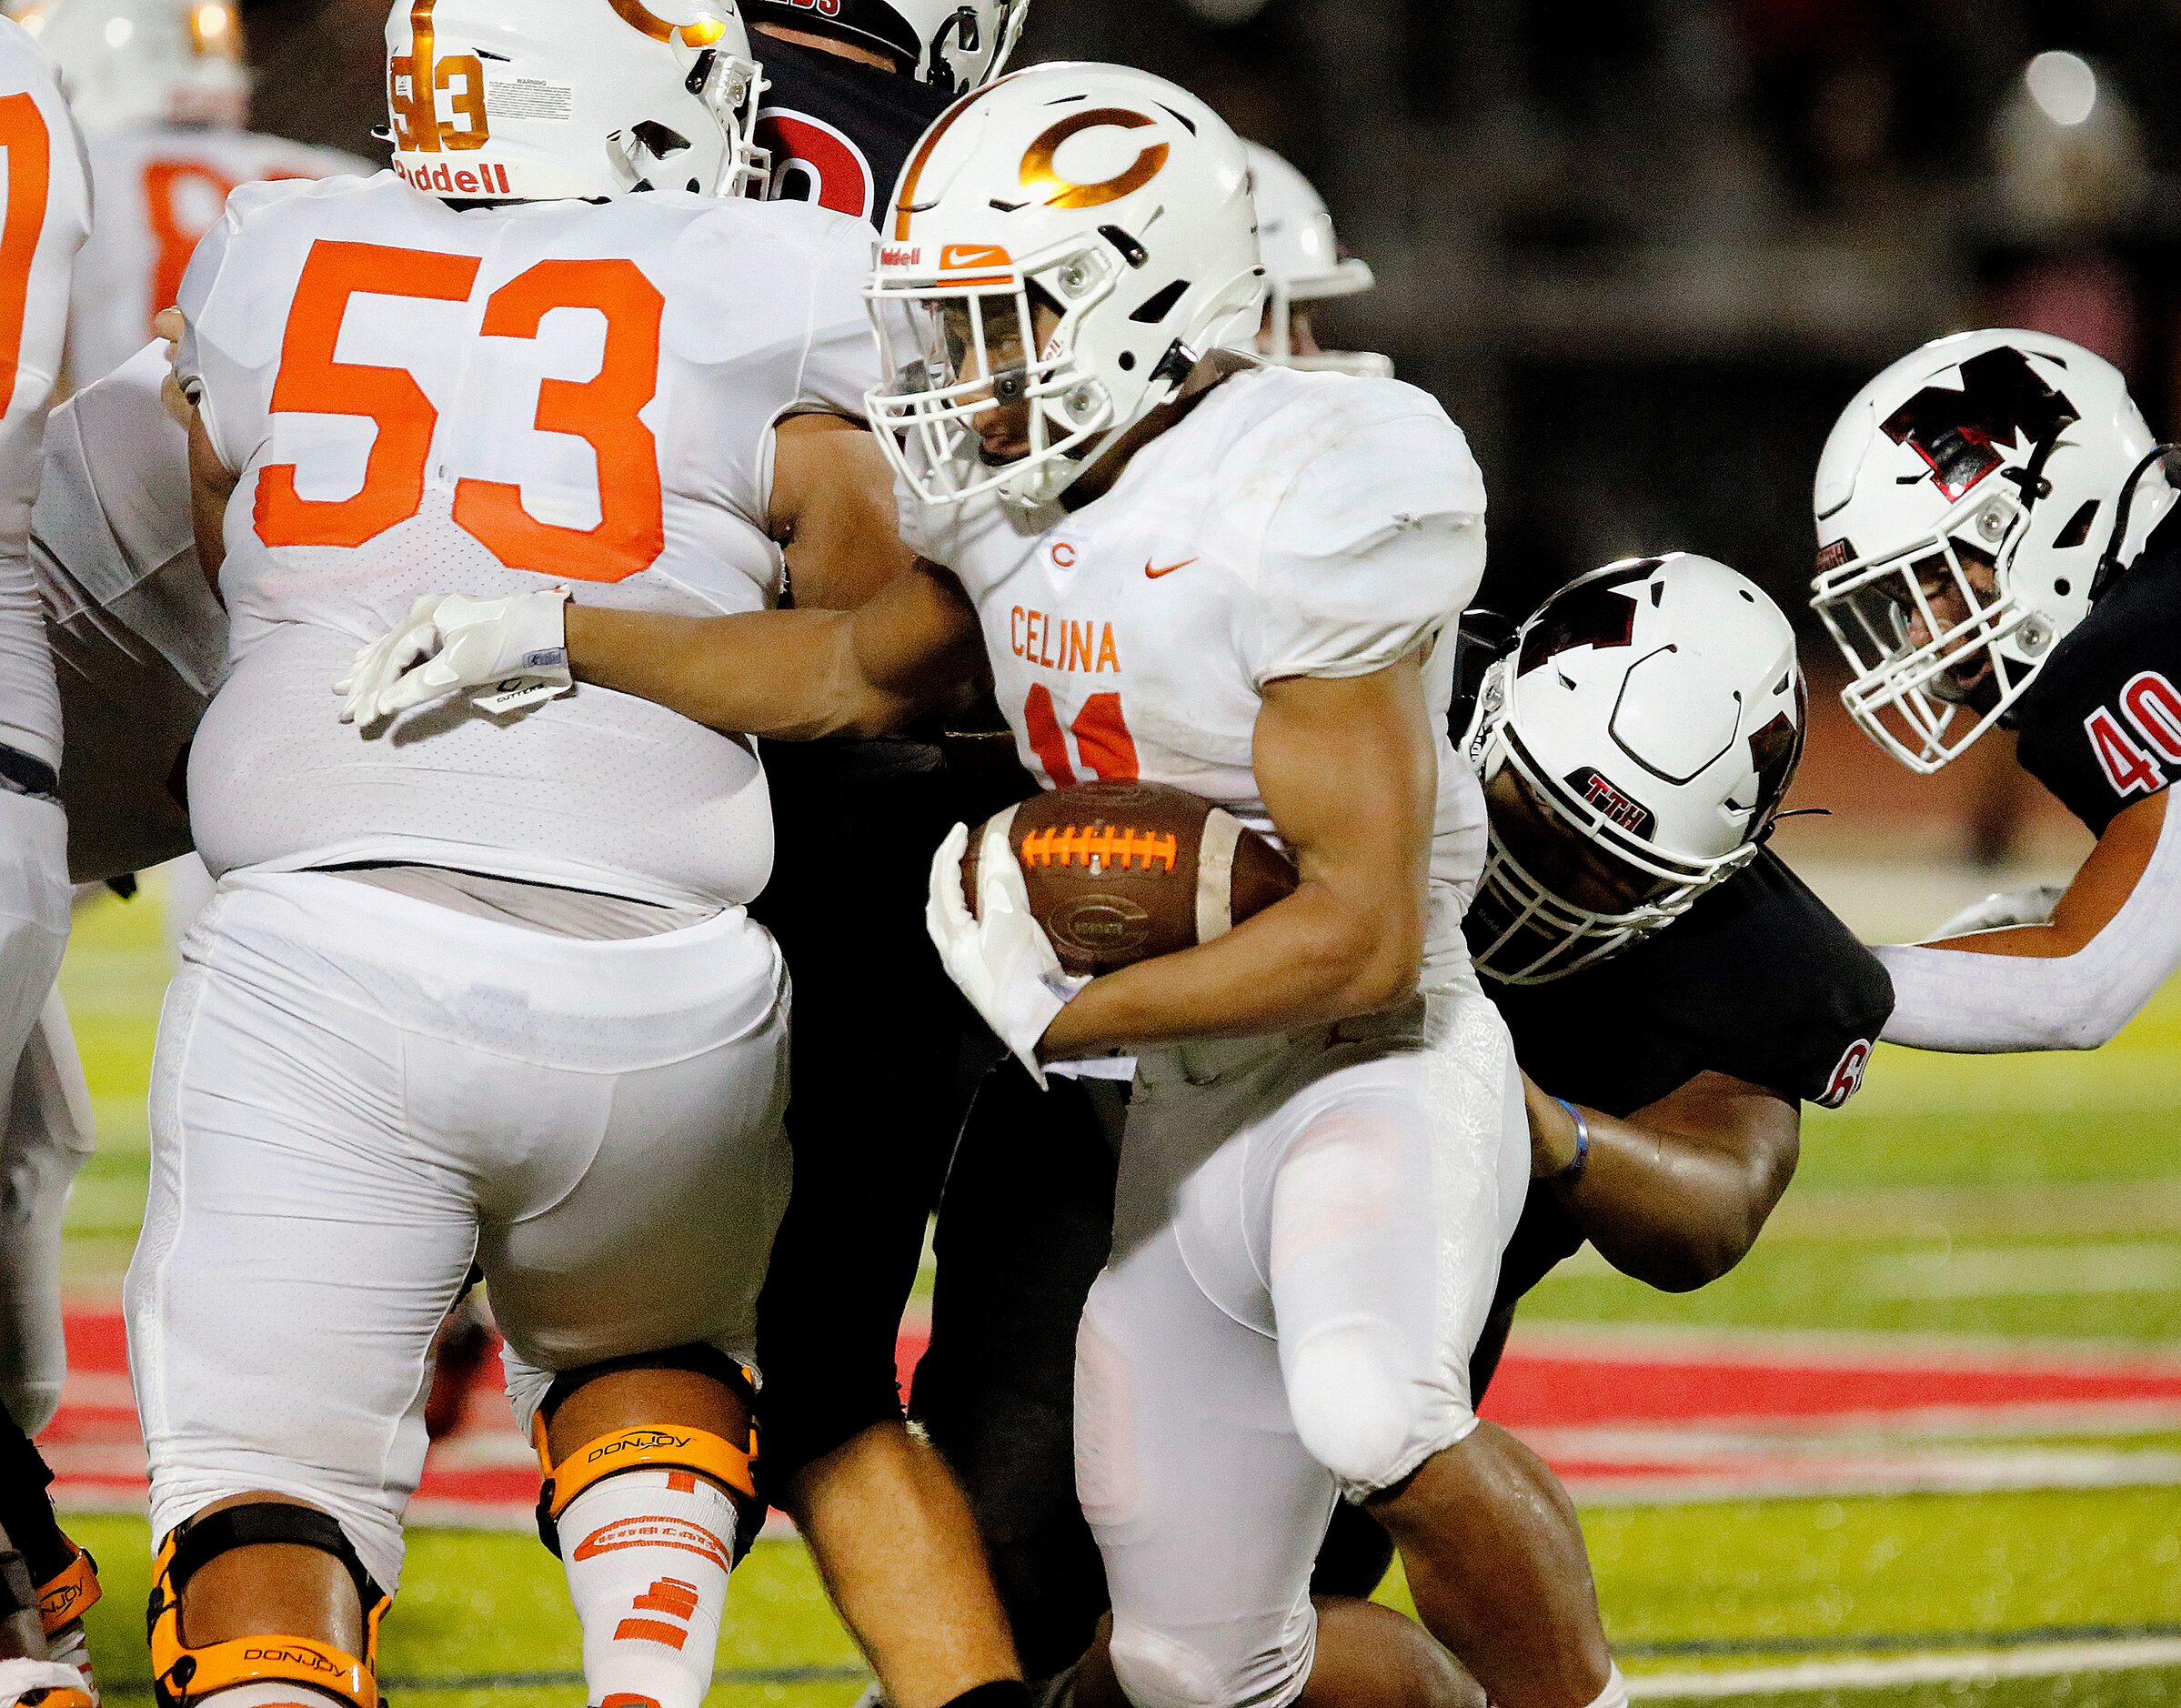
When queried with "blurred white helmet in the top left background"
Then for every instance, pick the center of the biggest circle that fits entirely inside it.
(145, 62)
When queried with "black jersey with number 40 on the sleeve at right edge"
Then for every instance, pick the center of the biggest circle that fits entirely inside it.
(2101, 725)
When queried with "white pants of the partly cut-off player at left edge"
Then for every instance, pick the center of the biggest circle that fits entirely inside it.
(47, 1131)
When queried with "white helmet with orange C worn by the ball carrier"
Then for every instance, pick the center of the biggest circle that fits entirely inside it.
(1107, 195)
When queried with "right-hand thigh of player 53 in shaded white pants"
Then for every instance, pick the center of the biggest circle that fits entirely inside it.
(664, 1236)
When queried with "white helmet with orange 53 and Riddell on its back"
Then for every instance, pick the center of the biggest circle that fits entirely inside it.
(555, 99)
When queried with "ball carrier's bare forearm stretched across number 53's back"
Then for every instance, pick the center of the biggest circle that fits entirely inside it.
(788, 675)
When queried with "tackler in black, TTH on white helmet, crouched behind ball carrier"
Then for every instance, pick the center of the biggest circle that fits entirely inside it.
(1667, 981)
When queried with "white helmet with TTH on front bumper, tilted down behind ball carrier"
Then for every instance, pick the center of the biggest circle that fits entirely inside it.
(1635, 749)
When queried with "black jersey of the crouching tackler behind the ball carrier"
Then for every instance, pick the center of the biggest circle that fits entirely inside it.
(1757, 981)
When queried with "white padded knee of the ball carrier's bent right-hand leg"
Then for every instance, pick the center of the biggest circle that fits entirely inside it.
(1362, 1412)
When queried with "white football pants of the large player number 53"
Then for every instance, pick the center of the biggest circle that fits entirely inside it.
(354, 1096)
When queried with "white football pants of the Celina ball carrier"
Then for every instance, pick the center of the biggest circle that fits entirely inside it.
(1308, 1240)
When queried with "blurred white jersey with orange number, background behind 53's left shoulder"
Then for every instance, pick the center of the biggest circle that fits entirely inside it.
(160, 189)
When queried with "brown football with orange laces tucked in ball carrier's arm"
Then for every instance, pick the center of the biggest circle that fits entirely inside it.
(1126, 871)
